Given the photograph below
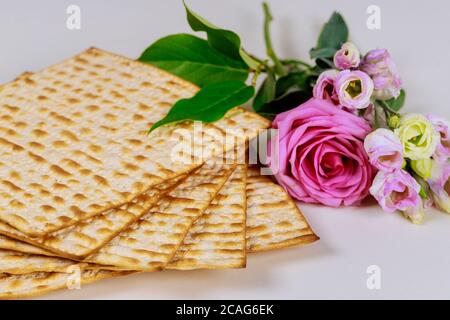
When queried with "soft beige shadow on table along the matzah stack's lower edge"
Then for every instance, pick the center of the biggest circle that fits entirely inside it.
(196, 284)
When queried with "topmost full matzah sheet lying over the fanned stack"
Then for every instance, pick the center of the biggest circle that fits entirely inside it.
(73, 139)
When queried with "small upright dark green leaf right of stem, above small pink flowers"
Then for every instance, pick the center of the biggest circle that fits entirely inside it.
(334, 33)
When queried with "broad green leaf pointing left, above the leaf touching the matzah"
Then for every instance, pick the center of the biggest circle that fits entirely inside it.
(191, 58)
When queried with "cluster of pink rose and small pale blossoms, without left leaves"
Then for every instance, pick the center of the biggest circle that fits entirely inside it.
(350, 140)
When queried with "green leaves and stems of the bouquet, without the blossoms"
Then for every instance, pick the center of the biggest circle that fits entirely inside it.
(228, 75)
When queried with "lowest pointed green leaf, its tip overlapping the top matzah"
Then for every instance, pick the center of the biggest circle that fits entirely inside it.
(209, 104)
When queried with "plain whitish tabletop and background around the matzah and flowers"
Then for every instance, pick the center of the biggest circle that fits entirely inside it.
(414, 260)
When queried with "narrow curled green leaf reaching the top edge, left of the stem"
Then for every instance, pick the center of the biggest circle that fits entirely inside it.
(225, 41)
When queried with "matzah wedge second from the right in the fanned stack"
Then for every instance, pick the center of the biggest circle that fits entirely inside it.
(217, 239)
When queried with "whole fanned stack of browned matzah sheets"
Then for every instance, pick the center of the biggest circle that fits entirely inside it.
(85, 194)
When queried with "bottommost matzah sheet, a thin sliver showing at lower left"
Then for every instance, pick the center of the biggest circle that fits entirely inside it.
(39, 283)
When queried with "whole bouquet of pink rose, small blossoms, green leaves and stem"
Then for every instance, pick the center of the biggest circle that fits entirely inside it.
(340, 135)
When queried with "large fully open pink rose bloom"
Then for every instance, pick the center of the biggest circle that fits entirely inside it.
(320, 156)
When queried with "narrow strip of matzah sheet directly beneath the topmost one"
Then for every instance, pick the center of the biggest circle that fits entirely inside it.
(87, 236)
